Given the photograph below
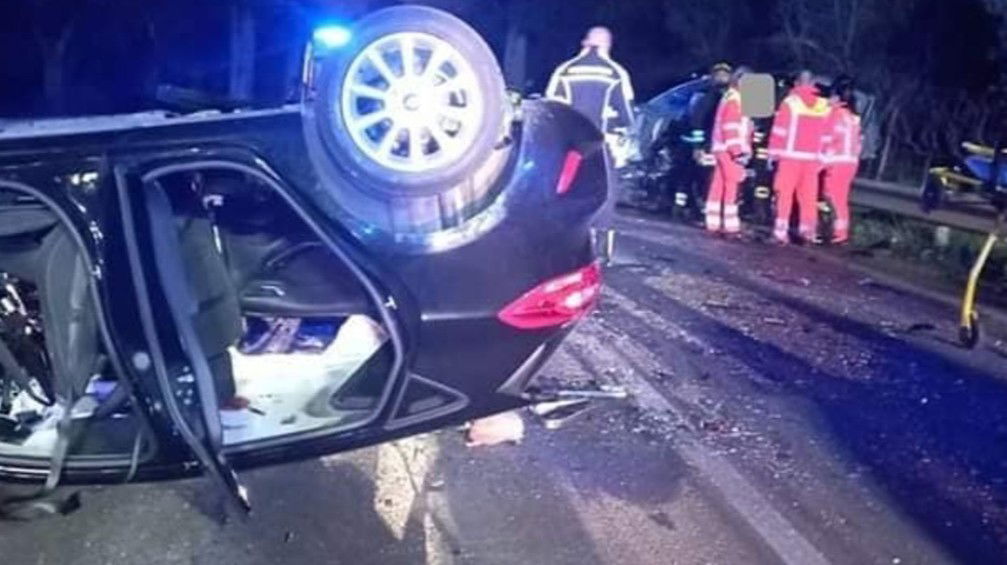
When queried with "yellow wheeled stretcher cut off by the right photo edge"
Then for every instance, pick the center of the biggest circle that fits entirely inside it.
(989, 167)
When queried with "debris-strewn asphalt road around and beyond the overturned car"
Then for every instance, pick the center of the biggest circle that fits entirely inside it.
(786, 409)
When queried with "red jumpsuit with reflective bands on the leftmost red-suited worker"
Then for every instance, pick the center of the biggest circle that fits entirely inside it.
(732, 140)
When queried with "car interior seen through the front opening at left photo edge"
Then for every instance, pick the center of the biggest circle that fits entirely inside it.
(51, 349)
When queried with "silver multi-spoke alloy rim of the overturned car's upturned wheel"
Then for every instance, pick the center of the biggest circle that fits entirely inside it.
(411, 103)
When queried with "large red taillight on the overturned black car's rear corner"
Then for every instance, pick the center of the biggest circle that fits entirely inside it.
(555, 303)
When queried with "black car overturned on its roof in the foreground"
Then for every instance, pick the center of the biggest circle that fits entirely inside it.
(199, 294)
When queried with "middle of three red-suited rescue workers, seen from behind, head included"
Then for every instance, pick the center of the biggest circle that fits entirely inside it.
(797, 146)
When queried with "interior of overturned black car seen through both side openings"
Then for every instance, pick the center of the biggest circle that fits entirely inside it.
(290, 334)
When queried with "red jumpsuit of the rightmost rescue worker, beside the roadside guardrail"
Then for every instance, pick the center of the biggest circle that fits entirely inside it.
(842, 162)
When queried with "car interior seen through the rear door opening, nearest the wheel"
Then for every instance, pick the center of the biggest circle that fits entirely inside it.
(290, 333)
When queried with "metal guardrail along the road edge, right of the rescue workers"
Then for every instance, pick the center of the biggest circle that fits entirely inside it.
(966, 212)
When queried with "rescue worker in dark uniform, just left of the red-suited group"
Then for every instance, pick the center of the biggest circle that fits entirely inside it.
(695, 178)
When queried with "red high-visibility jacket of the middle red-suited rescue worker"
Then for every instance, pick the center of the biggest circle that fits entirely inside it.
(800, 128)
